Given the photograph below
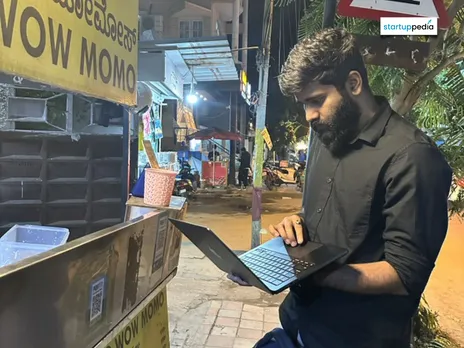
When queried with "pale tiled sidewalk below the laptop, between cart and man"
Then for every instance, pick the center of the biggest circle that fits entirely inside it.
(208, 310)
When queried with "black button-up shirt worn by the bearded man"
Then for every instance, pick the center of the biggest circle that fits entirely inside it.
(386, 199)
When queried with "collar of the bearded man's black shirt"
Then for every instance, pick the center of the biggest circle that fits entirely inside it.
(372, 132)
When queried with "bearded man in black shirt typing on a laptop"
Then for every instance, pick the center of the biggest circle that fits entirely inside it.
(377, 186)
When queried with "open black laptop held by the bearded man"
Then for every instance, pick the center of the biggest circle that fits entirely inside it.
(271, 267)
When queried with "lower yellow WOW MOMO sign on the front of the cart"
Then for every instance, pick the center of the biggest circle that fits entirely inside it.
(149, 329)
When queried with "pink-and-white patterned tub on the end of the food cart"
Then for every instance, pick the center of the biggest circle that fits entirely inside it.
(159, 184)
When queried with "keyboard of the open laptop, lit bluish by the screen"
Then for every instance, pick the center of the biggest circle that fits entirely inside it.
(274, 267)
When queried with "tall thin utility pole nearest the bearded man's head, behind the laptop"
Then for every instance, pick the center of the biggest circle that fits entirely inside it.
(264, 57)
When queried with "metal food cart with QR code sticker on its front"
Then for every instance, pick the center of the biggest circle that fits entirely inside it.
(107, 289)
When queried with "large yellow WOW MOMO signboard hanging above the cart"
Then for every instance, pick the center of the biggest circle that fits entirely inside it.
(84, 46)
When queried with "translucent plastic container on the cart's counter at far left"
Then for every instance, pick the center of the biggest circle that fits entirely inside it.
(23, 241)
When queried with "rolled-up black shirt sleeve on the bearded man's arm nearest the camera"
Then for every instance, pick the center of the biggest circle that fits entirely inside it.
(417, 186)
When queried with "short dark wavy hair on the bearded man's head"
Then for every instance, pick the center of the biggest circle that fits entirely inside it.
(327, 57)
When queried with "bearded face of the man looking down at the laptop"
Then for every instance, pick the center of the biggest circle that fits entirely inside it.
(333, 116)
